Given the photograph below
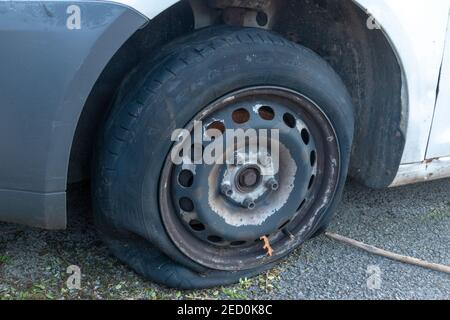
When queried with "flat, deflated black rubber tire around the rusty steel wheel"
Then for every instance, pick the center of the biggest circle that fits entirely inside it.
(163, 94)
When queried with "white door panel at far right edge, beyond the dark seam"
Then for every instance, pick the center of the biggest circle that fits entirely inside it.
(440, 134)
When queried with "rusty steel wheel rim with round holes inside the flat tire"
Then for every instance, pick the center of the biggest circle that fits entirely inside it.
(216, 214)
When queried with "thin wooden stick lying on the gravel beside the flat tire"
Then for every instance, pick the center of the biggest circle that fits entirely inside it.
(389, 255)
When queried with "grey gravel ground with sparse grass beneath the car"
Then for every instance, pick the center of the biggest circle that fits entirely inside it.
(413, 220)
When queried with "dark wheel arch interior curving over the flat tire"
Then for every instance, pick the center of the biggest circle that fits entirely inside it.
(365, 59)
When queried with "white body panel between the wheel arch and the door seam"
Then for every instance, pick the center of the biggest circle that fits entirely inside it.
(417, 30)
